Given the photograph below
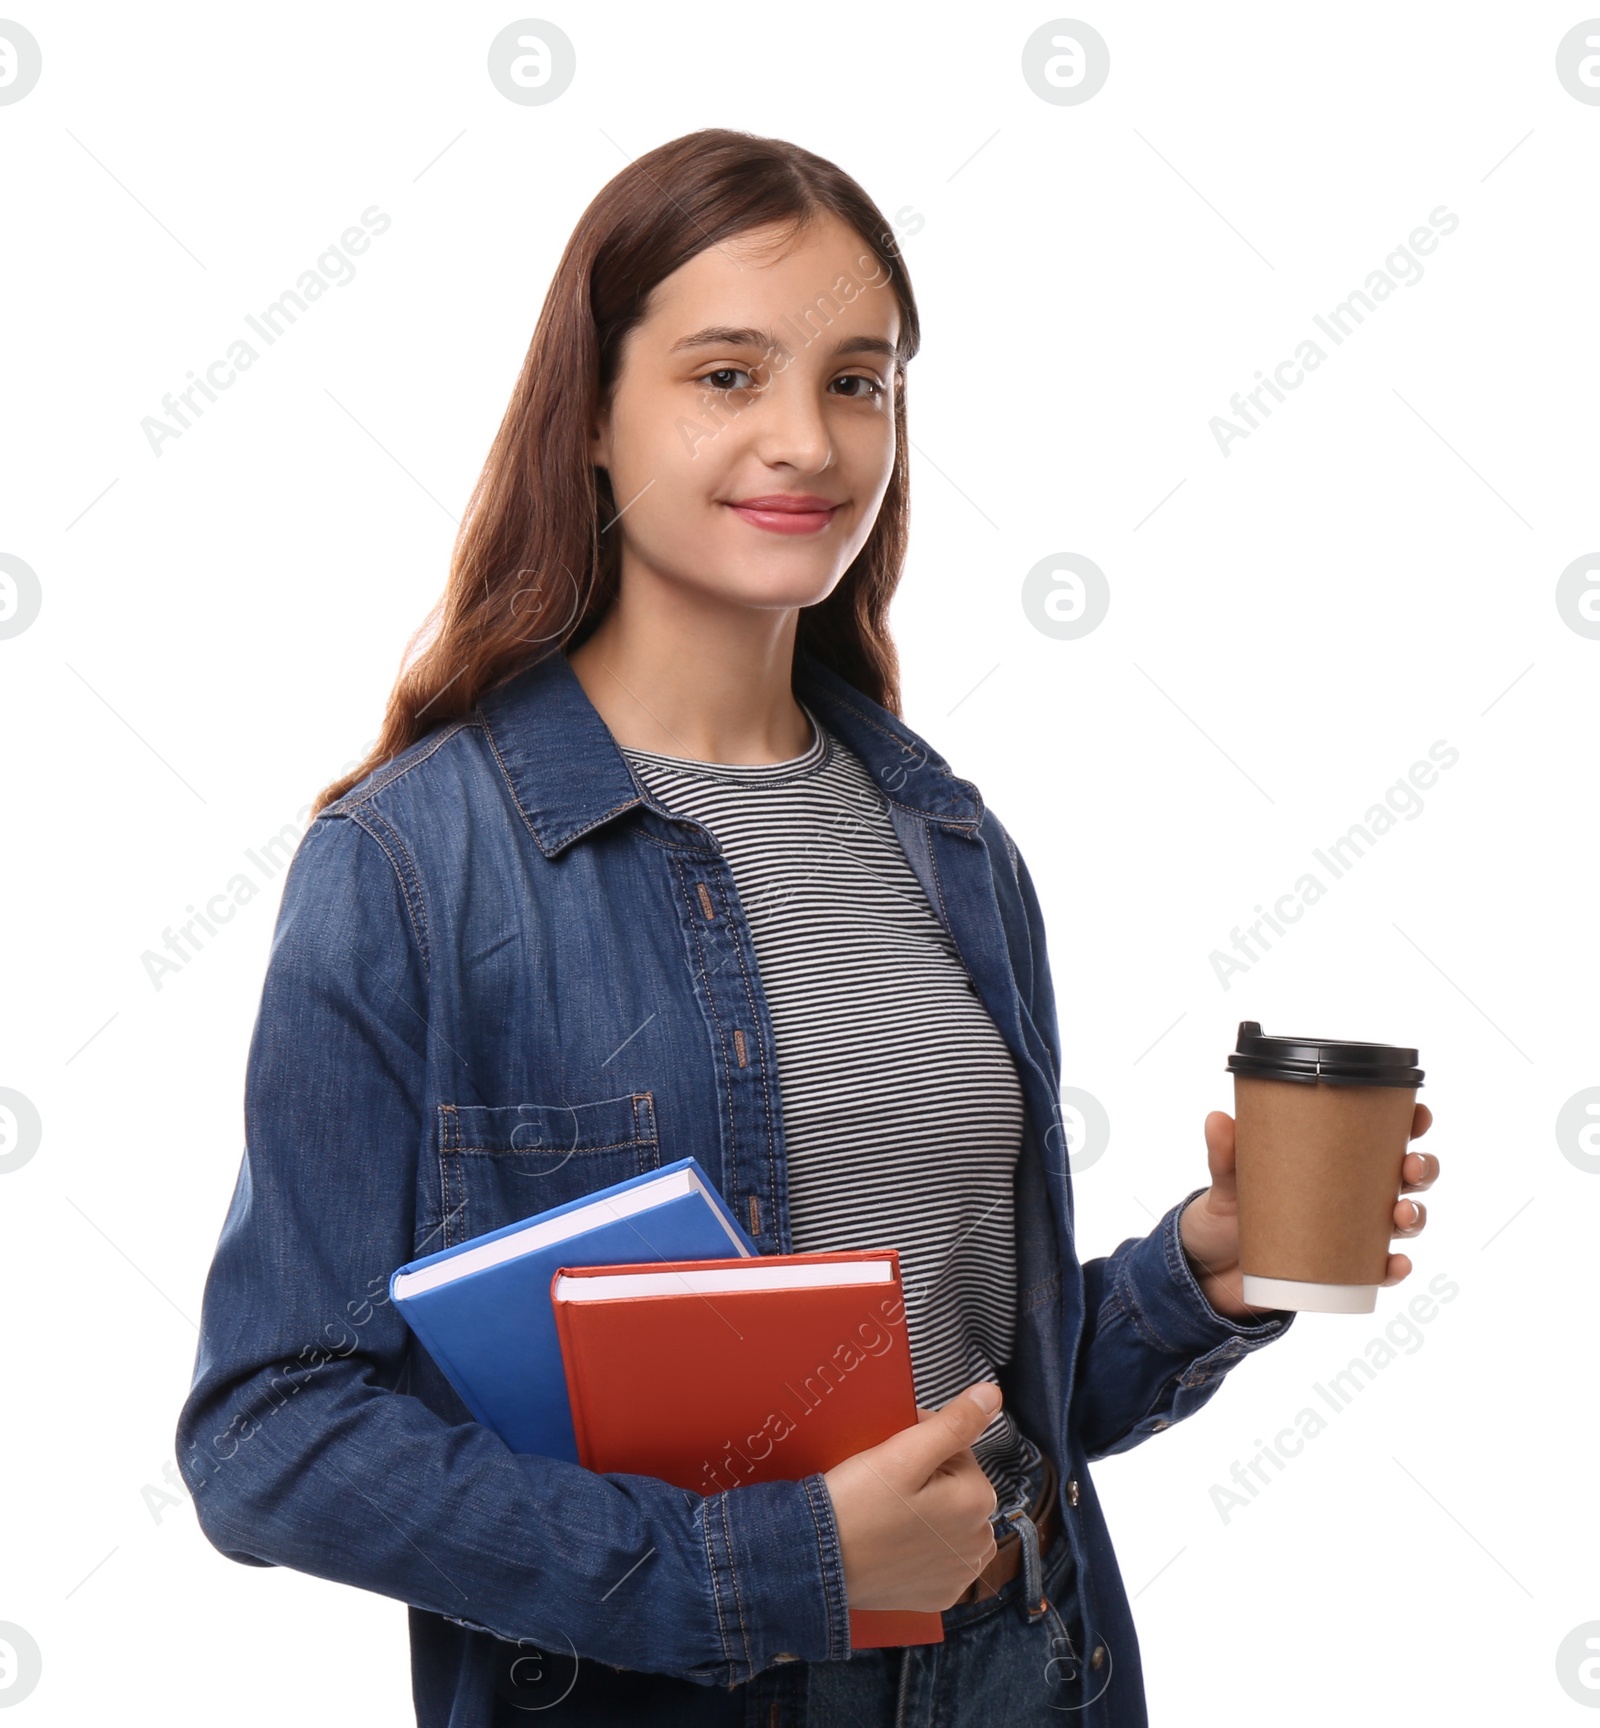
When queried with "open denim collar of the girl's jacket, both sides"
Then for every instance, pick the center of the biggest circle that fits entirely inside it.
(569, 777)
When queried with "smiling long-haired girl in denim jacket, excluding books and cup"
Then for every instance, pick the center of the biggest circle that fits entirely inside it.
(645, 865)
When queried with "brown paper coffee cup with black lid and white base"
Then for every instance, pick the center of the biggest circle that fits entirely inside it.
(1323, 1128)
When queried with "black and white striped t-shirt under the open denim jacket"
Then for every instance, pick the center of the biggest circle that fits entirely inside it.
(903, 1110)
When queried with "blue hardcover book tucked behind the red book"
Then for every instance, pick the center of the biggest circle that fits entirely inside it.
(483, 1307)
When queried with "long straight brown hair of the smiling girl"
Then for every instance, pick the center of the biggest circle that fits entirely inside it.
(533, 568)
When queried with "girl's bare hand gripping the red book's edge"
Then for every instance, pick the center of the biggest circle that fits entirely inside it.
(915, 1511)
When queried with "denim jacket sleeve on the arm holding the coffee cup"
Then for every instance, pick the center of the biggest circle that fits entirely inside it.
(1153, 1350)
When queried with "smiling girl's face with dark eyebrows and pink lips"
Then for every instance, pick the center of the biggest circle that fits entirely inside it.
(752, 429)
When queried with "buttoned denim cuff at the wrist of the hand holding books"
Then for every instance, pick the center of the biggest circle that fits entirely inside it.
(778, 1575)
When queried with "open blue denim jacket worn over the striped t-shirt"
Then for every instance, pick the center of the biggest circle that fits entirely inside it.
(504, 975)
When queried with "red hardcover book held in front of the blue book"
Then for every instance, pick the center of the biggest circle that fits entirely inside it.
(714, 1373)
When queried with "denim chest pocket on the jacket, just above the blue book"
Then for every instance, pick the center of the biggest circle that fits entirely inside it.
(500, 1164)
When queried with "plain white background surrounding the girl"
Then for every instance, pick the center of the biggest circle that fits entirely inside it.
(1292, 626)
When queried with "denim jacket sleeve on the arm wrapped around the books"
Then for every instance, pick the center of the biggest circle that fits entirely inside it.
(298, 1440)
